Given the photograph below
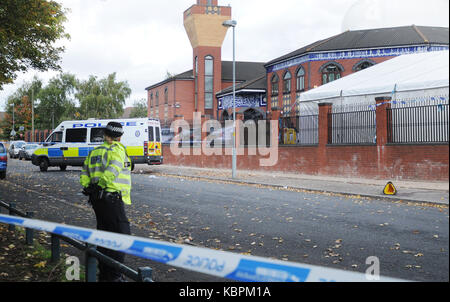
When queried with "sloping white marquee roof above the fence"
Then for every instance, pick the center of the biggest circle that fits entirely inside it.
(412, 76)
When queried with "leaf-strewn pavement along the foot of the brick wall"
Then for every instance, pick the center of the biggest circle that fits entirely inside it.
(431, 192)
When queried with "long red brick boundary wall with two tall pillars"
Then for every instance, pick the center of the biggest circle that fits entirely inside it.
(427, 162)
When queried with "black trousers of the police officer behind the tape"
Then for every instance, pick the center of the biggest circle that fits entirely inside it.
(111, 217)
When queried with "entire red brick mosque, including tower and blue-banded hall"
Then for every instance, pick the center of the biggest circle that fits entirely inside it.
(272, 89)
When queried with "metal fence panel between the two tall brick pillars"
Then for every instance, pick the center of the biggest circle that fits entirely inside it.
(352, 128)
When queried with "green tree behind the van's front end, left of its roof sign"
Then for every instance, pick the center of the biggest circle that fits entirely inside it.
(56, 101)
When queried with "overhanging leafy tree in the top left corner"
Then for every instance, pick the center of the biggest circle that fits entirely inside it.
(28, 31)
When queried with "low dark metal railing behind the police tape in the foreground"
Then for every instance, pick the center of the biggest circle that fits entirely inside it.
(144, 274)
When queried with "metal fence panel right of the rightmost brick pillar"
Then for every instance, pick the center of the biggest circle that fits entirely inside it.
(418, 124)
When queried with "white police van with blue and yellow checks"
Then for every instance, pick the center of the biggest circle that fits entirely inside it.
(70, 143)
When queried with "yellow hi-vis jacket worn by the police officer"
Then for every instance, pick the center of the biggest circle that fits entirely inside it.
(110, 167)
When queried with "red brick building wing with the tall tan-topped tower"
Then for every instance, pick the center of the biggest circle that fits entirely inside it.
(179, 96)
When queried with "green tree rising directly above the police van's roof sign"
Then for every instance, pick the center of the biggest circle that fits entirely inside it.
(102, 98)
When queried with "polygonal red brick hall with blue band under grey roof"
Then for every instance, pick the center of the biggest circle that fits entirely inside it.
(338, 56)
